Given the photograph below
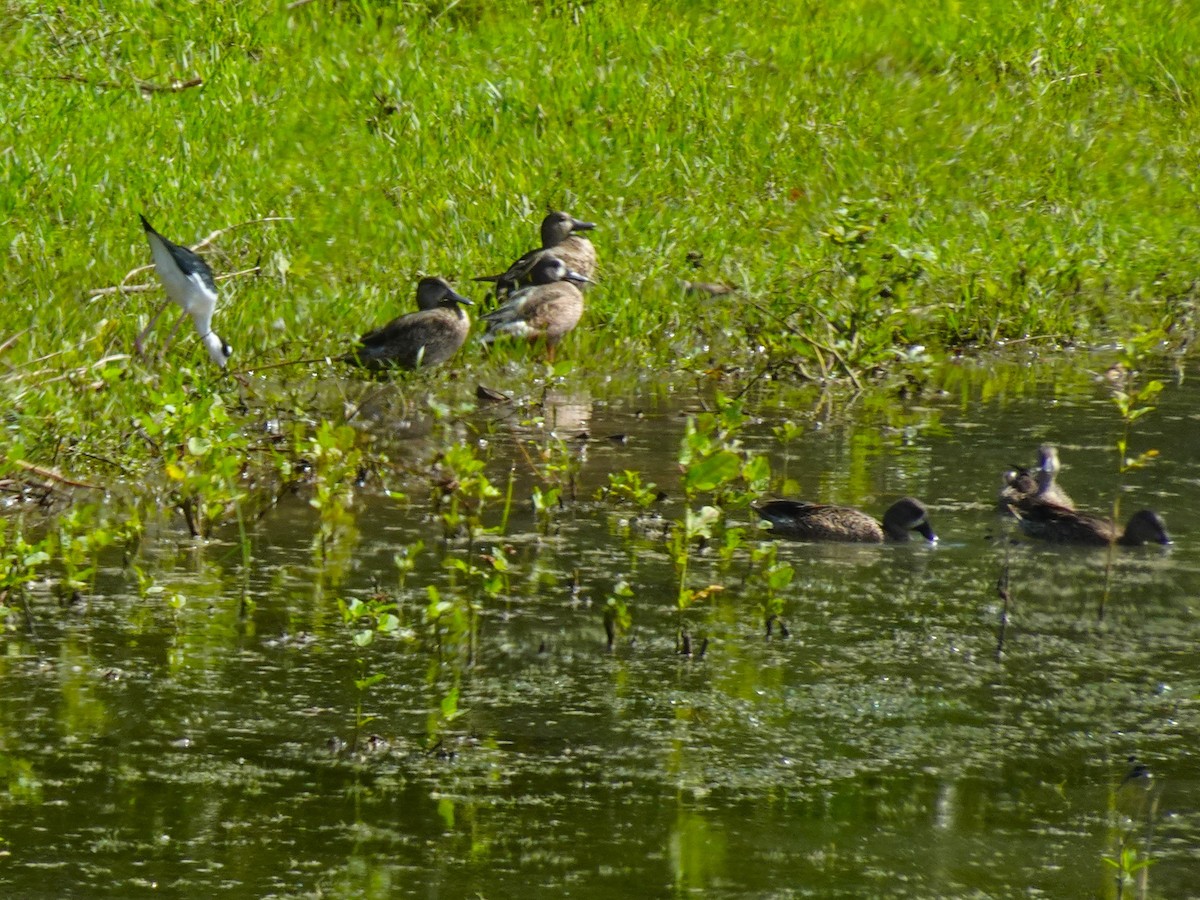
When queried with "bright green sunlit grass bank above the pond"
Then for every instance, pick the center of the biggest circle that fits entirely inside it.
(871, 176)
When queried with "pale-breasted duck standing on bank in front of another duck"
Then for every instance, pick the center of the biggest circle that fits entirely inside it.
(549, 309)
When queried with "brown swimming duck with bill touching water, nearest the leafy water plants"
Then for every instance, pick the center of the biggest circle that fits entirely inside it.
(820, 523)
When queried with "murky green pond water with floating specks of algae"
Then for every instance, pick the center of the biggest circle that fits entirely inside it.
(200, 740)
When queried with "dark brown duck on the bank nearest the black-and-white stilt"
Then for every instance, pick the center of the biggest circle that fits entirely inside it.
(418, 339)
